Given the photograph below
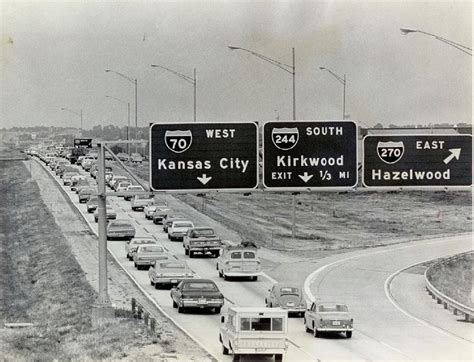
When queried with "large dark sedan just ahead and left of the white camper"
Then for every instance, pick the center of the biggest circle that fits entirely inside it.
(197, 293)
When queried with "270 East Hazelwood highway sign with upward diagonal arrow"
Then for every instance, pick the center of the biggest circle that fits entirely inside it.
(421, 161)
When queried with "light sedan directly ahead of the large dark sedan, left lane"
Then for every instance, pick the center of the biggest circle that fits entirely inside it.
(169, 273)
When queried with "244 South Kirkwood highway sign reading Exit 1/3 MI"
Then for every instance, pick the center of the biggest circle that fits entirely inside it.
(309, 155)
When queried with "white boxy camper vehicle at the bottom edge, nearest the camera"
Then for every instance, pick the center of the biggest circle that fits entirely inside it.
(254, 331)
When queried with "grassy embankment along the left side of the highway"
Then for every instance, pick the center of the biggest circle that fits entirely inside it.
(42, 283)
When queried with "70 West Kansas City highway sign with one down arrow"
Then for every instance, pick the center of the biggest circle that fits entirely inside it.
(203, 156)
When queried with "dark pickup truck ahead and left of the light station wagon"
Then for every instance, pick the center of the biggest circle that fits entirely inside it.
(201, 240)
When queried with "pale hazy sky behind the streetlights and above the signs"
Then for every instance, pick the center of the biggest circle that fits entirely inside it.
(54, 55)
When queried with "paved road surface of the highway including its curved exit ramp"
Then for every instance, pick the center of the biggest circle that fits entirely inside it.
(383, 330)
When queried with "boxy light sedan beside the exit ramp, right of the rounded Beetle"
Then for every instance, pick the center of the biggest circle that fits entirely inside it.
(328, 317)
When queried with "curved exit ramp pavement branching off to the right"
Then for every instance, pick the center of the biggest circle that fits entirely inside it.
(360, 283)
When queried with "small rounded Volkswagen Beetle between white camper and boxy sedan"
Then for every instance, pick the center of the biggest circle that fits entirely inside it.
(286, 296)
